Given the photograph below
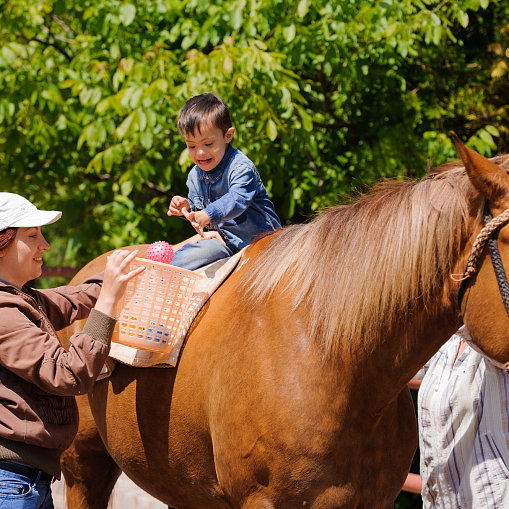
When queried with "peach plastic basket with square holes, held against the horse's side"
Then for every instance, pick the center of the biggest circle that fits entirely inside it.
(154, 306)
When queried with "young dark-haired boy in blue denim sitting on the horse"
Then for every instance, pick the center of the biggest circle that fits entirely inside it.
(226, 193)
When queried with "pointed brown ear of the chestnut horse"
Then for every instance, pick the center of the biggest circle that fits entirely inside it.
(490, 180)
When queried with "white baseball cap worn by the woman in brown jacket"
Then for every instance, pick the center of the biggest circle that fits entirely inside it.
(16, 211)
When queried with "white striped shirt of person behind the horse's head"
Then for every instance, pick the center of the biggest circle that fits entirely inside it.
(463, 430)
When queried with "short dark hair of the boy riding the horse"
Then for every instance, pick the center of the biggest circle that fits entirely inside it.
(203, 109)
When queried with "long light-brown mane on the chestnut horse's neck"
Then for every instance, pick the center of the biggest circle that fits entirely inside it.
(356, 268)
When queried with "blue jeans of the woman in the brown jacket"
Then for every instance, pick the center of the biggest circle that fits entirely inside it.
(20, 492)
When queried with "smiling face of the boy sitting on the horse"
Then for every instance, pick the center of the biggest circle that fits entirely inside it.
(207, 148)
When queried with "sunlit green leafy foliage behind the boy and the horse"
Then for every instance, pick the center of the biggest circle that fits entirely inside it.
(325, 96)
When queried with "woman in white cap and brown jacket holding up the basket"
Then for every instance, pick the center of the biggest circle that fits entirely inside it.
(38, 378)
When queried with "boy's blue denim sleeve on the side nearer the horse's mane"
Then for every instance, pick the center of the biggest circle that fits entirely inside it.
(242, 190)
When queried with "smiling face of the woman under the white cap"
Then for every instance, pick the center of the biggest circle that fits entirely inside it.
(22, 260)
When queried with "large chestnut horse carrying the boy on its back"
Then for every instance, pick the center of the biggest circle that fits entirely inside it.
(291, 389)
